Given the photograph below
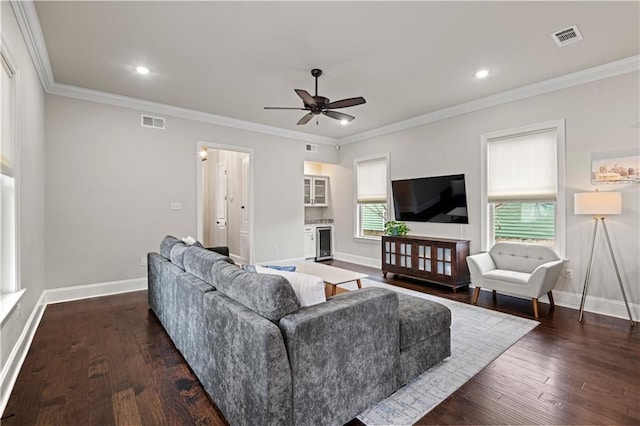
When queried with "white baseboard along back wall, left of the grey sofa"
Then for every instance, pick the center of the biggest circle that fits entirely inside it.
(67, 294)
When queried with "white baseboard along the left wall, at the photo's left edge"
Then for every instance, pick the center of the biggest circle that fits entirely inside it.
(16, 358)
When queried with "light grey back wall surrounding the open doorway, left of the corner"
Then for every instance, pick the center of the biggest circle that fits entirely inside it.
(110, 183)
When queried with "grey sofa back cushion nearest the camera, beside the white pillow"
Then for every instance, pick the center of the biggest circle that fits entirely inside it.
(271, 296)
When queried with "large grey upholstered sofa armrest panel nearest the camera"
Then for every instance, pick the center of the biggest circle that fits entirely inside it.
(343, 354)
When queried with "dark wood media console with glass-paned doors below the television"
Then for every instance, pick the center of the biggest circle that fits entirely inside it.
(438, 260)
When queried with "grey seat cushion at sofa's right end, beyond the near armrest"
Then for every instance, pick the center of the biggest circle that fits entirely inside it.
(420, 319)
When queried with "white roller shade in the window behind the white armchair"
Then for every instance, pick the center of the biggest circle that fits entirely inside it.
(522, 168)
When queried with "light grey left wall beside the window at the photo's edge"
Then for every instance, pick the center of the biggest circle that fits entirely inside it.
(31, 163)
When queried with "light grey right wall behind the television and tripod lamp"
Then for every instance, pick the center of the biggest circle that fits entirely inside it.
(600, 116)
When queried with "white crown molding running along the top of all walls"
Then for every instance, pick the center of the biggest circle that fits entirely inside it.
(30, 26)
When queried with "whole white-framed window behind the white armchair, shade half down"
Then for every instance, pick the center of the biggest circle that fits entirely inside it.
(523, 185)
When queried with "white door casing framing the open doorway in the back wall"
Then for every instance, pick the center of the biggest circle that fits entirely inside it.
(199, 188)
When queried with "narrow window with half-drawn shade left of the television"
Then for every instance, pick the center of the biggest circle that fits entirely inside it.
(371, 195)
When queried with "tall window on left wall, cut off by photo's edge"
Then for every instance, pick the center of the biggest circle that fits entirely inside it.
(8, 280)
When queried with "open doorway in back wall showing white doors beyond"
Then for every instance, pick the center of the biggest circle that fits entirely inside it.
(225, 199)
